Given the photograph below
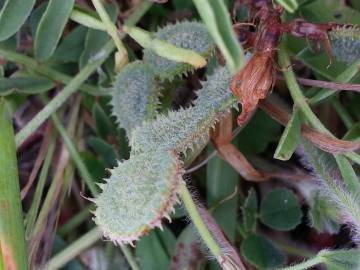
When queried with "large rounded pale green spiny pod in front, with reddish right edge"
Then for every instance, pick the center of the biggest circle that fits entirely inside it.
(140, 192)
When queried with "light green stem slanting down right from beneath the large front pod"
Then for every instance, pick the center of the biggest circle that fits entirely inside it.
(199, 223)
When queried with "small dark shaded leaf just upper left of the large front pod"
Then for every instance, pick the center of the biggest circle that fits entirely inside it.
(104, 150)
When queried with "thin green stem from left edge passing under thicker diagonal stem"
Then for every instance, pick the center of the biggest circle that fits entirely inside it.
(43, 69)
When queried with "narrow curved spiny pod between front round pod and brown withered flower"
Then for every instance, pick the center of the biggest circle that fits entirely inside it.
(182, 130)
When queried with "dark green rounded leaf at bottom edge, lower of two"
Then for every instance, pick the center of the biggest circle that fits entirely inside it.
(261, 253)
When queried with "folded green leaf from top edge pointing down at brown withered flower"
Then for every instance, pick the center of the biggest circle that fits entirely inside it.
(216, 17)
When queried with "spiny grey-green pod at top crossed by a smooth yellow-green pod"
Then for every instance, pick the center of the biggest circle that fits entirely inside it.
(188, 35)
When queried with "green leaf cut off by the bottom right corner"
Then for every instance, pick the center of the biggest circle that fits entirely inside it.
(341, 259)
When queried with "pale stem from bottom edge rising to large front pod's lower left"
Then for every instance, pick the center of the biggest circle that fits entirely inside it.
(75, 248)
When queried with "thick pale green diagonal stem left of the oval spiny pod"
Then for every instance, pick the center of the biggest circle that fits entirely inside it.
(68, 90)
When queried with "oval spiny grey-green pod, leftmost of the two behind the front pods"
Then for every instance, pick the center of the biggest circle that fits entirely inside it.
(135, 97)
